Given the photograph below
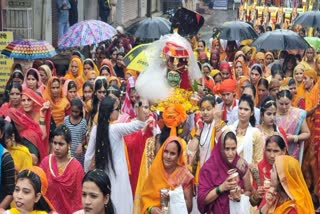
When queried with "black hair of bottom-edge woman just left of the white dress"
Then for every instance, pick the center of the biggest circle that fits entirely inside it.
(101, 179)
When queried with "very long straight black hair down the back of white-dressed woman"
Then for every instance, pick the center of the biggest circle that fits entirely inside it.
(104, 157)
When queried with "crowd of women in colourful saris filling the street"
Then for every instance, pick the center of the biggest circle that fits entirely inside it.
(84, 141)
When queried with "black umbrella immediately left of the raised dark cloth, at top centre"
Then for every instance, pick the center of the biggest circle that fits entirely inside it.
(151, 28)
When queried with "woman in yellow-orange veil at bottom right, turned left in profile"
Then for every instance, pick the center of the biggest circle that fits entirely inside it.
(289, 193)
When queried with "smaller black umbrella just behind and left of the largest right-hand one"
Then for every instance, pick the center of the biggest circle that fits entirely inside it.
(237, 30)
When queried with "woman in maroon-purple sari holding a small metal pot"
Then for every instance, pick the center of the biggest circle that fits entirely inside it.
(215, 183)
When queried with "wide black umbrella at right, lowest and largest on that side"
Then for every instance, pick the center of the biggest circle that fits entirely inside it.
(280, 40)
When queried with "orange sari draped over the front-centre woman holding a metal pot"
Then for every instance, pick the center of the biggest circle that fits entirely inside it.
(158, 177)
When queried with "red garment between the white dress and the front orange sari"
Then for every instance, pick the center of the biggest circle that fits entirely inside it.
(135, 145)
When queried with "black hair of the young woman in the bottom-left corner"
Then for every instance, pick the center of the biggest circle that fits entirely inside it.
(36, 184)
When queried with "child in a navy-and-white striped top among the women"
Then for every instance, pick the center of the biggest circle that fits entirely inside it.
(78, 127)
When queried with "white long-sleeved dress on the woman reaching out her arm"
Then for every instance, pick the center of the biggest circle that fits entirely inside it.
(121, 193)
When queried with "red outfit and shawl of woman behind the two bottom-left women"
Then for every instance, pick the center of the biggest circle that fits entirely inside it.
(64, 191)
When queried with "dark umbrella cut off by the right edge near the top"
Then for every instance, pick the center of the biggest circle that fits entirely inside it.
(308, 19)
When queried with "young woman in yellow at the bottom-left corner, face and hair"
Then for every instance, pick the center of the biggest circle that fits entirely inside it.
(27, 195)
